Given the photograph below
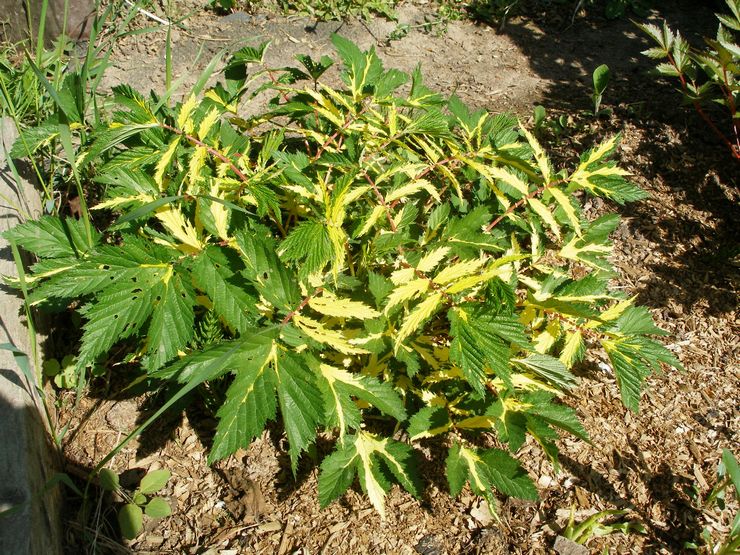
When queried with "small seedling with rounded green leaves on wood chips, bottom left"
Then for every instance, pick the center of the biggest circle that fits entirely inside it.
(140, 501)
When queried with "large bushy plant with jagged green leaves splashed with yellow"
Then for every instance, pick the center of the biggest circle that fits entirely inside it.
(385, 265)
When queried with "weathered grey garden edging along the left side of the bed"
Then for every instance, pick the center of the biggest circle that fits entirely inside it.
(27, 454)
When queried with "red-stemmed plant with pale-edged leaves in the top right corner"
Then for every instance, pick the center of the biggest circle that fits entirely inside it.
(706, 76)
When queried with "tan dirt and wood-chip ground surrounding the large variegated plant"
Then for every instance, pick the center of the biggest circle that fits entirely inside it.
(677, 251)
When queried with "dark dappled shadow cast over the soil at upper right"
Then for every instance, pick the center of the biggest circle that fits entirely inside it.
(677, 153)
